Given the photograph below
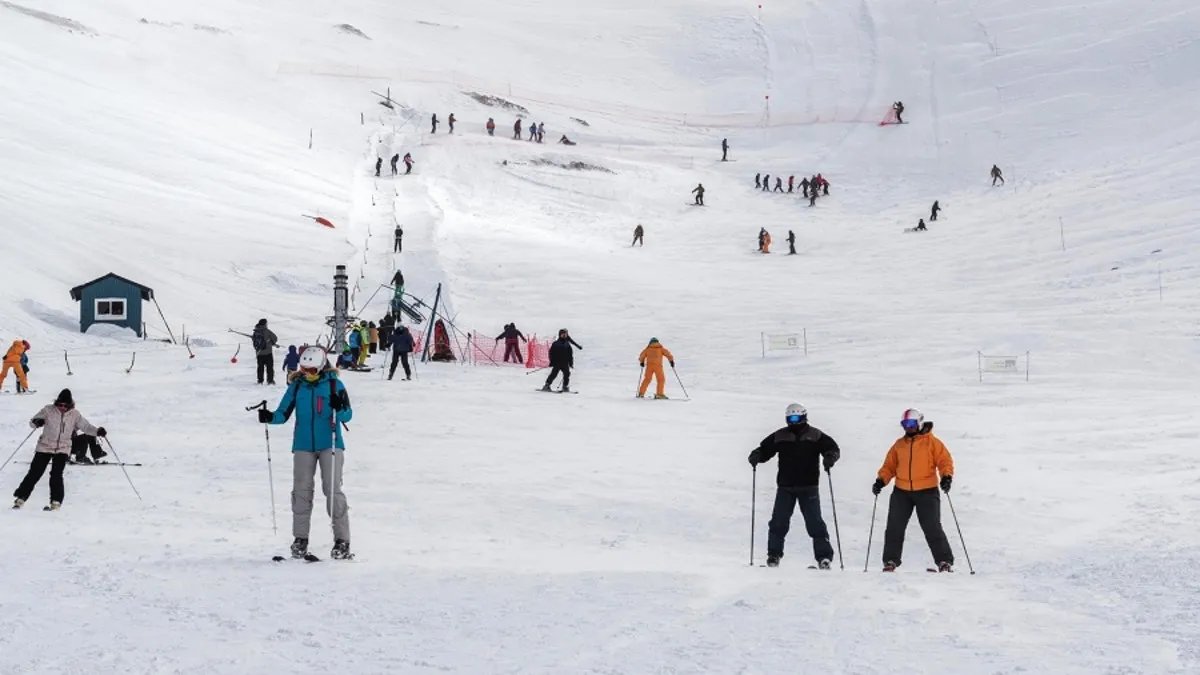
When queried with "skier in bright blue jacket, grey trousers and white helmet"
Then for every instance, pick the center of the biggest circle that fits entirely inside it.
(322, 407)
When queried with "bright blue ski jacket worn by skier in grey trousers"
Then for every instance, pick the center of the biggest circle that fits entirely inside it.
(319, 427)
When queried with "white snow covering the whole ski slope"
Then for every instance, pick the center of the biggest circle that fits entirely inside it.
(503, 531)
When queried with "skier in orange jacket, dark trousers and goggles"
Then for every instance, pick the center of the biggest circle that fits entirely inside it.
(916, 461)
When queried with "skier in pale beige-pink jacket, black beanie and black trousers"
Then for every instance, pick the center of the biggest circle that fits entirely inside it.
(58, 422)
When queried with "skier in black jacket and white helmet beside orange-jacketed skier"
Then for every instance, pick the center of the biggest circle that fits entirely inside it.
(802, 451)
